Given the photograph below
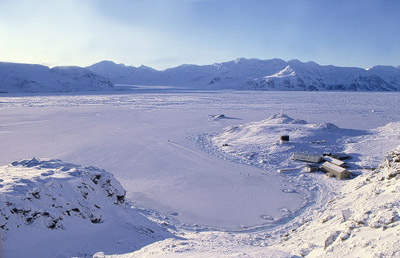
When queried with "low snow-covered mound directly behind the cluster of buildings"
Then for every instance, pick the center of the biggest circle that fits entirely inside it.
(257, 143)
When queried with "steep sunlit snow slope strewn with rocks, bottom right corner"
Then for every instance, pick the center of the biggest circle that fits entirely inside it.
(361, 221)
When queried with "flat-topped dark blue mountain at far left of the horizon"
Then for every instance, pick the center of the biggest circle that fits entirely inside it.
(38, 78)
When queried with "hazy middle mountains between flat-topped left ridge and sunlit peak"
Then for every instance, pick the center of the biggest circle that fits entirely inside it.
(233, 74)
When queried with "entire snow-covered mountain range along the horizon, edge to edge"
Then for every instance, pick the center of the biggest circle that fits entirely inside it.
(239, 74)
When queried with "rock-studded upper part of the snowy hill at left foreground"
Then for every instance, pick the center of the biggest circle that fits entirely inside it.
(48, 192)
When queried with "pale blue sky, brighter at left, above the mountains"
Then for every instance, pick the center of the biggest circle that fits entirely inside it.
(167, 33)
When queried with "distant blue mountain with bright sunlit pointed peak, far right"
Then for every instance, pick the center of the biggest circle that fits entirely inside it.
(311, 76)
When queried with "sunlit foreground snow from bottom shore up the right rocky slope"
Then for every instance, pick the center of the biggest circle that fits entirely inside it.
(360, 220)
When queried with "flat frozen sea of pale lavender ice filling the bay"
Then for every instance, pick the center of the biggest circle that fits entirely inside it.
(144, 139)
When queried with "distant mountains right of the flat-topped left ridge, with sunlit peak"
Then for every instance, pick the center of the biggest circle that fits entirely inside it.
(255, 74)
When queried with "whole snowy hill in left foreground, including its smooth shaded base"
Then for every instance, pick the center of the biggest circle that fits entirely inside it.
(59, 209)
